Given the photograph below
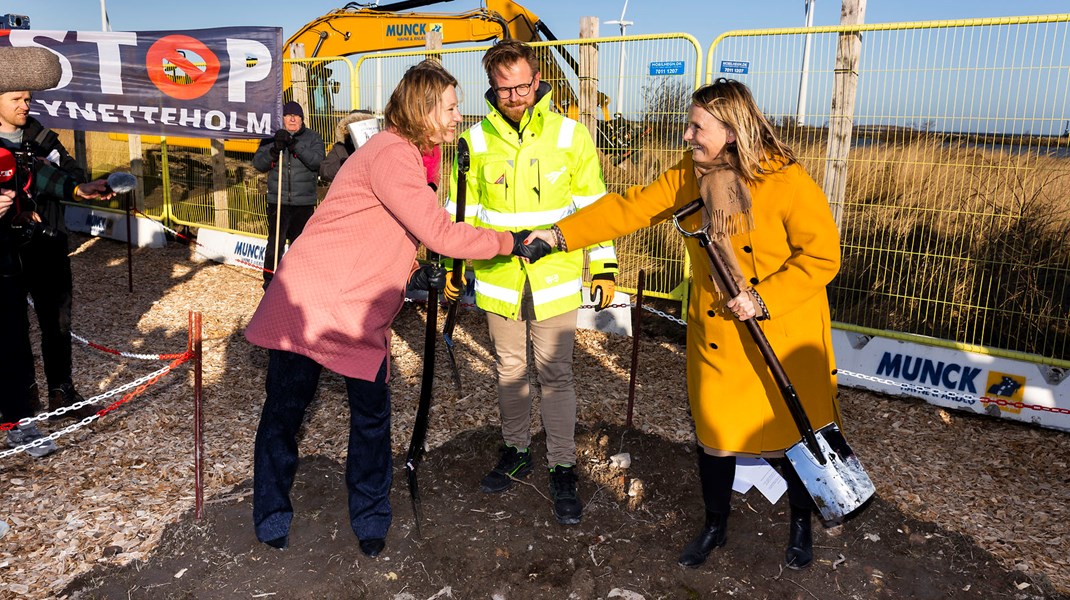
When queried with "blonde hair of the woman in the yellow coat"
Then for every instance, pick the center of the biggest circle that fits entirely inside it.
(757, 147)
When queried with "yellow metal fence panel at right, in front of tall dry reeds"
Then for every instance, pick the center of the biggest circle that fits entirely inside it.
(956, 221)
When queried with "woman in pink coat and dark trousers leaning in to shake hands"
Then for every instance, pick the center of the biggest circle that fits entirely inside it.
(338, 293)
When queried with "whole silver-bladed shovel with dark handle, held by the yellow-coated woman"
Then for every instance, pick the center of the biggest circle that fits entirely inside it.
(827, 465)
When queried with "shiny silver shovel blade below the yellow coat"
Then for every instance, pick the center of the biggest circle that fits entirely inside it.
(840, 486)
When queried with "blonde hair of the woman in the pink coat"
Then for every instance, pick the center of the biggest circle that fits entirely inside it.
(417, 96)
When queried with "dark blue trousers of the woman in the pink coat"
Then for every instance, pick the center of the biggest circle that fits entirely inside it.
(293, 380)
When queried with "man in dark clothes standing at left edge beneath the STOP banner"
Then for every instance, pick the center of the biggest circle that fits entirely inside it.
(47, 261)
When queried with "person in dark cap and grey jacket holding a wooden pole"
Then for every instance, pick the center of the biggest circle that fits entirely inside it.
(295, 155)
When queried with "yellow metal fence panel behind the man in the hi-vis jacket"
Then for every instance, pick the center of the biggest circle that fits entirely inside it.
(645, 84)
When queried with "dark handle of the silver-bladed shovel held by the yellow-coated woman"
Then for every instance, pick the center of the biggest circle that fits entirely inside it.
(729, 285)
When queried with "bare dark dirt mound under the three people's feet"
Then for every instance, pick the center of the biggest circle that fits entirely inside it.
(509, 546)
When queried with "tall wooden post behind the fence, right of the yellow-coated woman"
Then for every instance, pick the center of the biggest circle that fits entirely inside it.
(842, 116)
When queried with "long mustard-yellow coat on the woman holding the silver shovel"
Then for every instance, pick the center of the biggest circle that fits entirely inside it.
(789, 257)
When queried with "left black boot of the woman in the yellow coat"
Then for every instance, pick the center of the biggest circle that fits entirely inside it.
(716, 475)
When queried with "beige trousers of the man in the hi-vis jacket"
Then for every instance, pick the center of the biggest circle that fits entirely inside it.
(553, 342)
